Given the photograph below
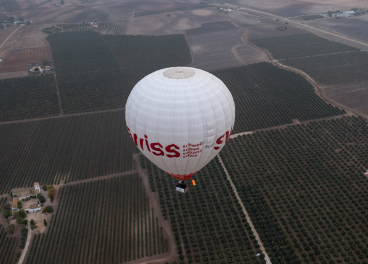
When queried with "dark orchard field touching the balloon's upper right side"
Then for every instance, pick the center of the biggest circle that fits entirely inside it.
(267, 96)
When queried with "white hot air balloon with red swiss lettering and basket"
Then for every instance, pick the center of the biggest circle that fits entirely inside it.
(180, 119)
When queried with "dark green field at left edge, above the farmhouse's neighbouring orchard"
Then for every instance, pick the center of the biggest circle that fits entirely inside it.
(28, 97)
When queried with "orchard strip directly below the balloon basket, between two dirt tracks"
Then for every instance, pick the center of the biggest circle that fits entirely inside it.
(208, 222)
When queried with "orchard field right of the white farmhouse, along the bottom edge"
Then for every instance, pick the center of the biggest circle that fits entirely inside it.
(121, 227)
